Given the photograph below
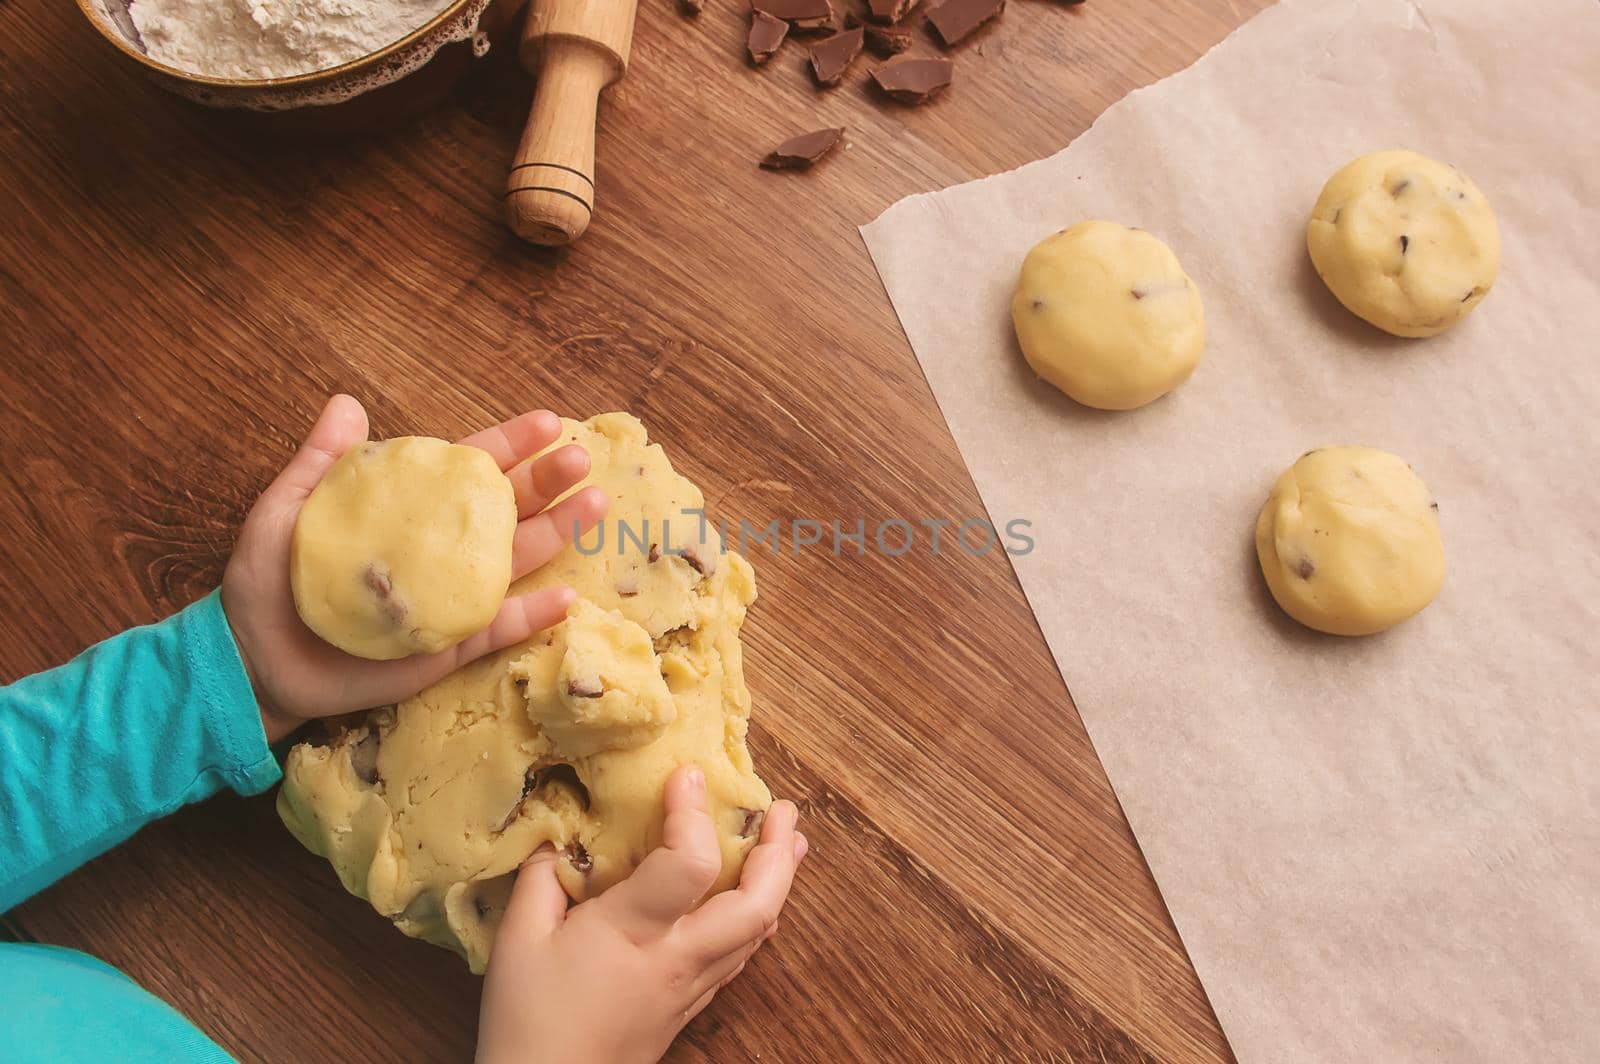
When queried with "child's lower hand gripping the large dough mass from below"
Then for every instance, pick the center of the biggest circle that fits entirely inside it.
(618, 977)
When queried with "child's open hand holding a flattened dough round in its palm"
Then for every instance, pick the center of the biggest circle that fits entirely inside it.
(295, 674)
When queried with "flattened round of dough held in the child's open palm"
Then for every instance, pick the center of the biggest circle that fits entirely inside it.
(404, 548)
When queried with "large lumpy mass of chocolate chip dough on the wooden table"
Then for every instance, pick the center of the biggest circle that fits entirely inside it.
(428, 809)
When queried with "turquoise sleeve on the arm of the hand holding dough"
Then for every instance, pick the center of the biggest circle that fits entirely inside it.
(126, 734)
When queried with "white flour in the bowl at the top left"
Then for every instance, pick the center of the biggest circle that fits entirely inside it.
(262, 39)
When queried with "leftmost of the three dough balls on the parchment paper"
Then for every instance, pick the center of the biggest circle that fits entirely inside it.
(1106, 314)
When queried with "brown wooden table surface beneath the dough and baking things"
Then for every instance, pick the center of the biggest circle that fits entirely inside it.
(178, 297)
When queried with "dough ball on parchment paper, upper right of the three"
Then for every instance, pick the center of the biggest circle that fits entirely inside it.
(1406, 242)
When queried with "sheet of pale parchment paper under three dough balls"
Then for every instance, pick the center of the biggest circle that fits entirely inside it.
(1382, 849)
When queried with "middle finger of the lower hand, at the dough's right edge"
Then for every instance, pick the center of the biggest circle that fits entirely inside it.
(745, 916)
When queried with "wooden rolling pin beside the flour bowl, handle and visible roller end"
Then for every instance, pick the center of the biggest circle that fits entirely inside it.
(574, 49)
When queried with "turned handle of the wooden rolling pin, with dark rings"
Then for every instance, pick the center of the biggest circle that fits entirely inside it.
(551, 190)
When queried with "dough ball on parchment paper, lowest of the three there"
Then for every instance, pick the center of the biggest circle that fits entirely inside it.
(1350, 542)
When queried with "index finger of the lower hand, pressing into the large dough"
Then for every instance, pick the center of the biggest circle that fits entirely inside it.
(678, 874)
